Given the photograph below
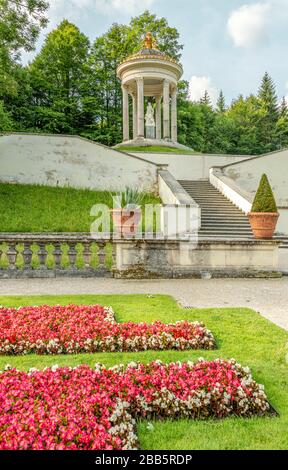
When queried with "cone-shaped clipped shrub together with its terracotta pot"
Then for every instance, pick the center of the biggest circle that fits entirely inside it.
(264, 213)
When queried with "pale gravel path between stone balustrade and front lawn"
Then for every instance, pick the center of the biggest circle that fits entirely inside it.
(268, 297)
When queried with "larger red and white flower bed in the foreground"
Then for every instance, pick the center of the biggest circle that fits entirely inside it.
(85, 409)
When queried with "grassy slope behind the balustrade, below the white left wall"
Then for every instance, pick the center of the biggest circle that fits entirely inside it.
(28, 208)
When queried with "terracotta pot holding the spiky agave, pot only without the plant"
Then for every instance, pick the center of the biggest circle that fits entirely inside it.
(126, 221)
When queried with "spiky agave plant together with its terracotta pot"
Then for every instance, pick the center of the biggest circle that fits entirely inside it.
(126, 212)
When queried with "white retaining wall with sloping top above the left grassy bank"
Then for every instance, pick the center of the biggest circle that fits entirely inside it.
(71, 161)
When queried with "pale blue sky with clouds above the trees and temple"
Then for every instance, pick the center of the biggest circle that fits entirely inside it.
(228, 44)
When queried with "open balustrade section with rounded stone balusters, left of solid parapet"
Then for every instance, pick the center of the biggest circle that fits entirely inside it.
(51, 255)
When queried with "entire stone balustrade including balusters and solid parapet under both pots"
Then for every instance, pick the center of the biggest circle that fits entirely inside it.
(78, 254)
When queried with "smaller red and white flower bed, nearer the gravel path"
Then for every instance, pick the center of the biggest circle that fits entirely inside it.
(81, 329)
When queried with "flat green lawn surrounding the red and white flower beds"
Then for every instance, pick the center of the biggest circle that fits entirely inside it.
(240, 333)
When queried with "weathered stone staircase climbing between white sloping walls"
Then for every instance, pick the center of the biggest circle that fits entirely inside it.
(221, 219)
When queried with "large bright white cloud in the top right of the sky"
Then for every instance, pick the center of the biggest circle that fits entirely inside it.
(247, 25)
